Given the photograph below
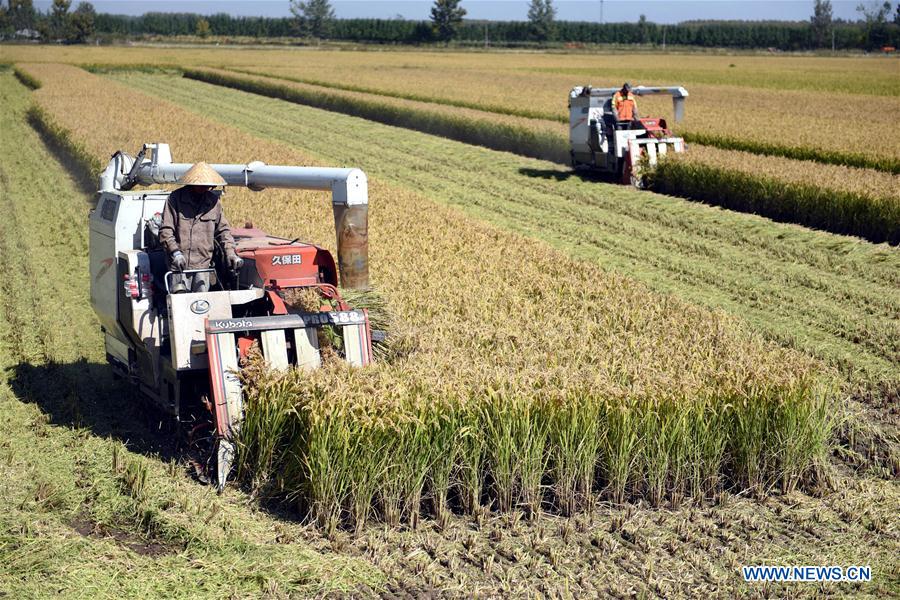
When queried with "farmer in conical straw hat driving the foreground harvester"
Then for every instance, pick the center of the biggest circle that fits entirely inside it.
(193, 222)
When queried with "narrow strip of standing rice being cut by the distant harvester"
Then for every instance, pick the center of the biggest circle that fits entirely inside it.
(863, 202)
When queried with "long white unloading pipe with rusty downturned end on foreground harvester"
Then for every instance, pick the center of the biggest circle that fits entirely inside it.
(349, 195)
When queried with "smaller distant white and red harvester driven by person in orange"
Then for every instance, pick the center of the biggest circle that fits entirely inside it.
(601, 143)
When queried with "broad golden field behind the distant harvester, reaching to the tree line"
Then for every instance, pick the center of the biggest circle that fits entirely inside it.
(786, 101)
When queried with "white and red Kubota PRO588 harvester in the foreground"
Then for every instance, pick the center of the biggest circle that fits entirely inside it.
(183, 350)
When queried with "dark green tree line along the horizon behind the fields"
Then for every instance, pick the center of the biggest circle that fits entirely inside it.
(878, 26)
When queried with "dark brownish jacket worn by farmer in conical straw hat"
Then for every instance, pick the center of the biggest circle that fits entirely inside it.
(194, 224)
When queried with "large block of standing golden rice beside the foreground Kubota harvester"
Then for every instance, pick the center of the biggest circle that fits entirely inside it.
(531, 368)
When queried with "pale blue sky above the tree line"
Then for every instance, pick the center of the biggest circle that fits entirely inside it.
(660, 11)
